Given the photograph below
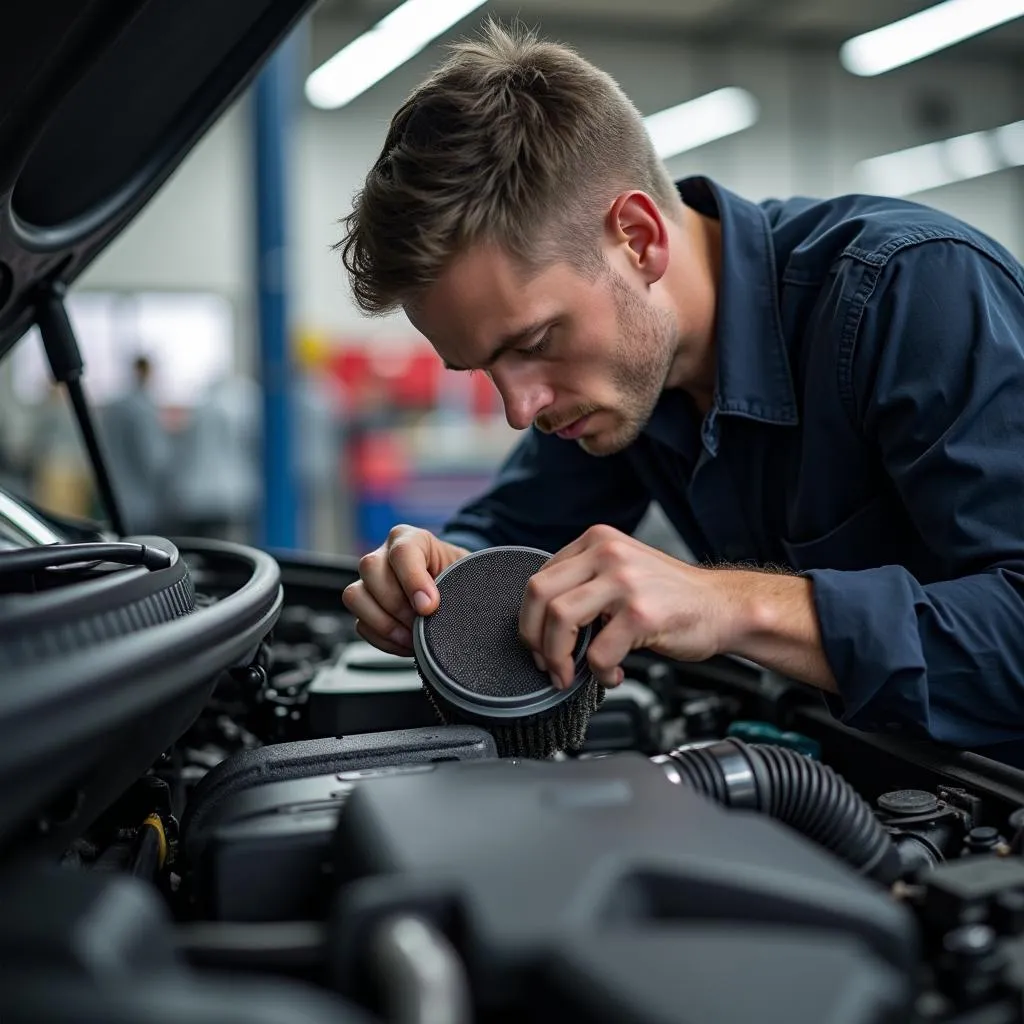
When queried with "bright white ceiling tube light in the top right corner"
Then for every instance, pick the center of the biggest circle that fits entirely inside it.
(918, 36)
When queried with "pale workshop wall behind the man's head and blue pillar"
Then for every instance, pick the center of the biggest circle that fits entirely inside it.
(817, 121)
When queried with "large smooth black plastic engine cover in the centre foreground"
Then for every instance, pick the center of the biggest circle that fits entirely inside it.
(529, 864)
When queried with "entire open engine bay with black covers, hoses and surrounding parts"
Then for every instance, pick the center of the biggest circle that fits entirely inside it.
(316, 845)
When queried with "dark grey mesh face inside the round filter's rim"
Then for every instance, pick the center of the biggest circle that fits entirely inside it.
(474, 635)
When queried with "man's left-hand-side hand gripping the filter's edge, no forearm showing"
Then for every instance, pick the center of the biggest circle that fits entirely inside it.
(397, 583)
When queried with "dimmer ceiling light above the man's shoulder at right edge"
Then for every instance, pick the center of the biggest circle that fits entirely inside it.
(937, 164)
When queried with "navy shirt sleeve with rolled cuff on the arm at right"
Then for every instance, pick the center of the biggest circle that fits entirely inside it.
(937, 380)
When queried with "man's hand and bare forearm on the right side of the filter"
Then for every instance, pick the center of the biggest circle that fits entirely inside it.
(649, 600)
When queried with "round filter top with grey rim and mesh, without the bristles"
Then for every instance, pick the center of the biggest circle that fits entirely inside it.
(470, 650)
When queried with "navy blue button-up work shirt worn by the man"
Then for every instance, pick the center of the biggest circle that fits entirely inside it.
(867, 432)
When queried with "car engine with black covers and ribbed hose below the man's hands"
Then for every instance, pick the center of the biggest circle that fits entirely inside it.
(336, 796)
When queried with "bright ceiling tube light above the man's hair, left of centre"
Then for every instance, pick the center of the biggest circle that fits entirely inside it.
(376, 54)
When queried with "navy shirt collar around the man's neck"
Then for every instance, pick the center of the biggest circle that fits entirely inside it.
(753, 365)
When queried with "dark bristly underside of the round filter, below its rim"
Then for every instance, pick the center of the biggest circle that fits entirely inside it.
(537, 738)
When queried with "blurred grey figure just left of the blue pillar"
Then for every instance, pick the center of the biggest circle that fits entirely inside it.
(216, 489)
